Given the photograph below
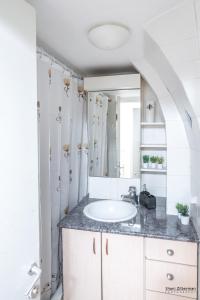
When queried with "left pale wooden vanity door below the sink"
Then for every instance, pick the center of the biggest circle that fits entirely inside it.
(81, 265)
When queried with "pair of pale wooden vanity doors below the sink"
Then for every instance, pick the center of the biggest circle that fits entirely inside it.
(102, 266)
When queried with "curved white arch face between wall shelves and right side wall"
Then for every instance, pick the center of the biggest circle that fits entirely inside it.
(178, 178)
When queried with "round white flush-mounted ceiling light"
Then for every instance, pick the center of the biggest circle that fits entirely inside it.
(109, 36)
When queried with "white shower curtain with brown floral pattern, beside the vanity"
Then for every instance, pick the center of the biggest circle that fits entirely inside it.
(63, 148)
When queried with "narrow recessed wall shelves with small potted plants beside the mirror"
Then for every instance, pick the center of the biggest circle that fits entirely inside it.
(153, 142)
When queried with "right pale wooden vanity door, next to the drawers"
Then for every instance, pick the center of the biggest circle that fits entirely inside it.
(122, 267)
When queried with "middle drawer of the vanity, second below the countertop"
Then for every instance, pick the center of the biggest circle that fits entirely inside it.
(162, 276)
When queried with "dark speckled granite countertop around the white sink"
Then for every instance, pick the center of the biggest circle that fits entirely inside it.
(148, 223)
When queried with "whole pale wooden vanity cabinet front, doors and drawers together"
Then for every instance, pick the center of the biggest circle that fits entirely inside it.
(106, 266)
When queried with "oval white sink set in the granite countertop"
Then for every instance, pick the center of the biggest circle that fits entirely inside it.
(110, 211)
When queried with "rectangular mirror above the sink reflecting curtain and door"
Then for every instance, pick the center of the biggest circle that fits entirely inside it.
(114, 133)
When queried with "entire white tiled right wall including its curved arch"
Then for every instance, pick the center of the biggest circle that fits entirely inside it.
(170, 63)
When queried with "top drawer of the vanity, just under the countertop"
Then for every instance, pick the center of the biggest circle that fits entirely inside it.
(171, 251)
